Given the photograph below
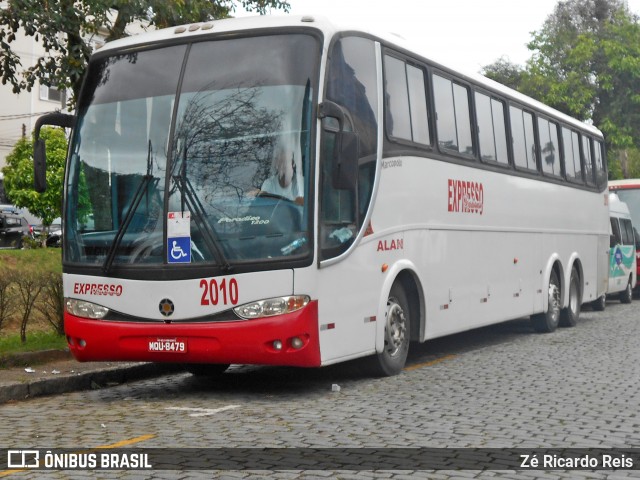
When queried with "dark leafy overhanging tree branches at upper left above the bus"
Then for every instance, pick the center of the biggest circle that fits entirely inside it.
(67, 55)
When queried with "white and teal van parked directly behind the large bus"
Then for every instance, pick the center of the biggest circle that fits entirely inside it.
(622, 254)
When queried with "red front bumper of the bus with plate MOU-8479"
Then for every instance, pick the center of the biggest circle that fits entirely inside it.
(290, 339)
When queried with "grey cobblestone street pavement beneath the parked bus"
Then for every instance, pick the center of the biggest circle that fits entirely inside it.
(501, 387)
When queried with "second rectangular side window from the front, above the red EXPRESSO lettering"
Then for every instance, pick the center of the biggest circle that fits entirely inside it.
(452, 116)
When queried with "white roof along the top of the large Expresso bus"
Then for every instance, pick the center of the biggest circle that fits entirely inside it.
(329, 27)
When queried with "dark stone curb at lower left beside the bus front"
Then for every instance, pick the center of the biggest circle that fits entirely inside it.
(91, 380)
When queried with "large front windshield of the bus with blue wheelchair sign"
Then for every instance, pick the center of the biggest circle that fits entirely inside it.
(194, 154)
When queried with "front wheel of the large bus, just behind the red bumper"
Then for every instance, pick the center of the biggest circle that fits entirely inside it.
(392, 359)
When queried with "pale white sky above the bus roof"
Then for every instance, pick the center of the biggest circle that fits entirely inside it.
(467, 34)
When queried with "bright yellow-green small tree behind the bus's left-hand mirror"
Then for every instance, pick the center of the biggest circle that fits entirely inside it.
(18, 175)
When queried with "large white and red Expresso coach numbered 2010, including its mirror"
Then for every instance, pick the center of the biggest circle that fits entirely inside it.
(285, 191)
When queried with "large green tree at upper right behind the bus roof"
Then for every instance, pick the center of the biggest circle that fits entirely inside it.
(586, 62)
